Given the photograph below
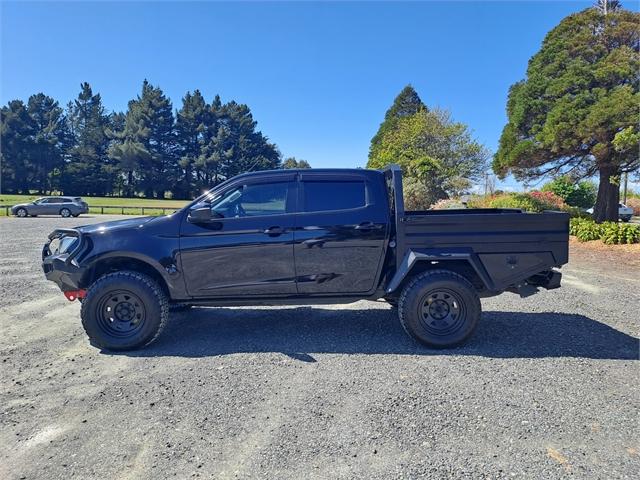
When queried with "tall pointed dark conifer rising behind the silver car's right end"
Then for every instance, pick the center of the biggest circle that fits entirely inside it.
(88, 169)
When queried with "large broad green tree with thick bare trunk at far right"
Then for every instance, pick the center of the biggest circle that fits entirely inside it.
(577, 110)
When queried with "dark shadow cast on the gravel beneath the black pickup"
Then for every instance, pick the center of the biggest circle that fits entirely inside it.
(301, 332)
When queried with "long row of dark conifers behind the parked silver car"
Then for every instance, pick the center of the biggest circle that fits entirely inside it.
(145, 150)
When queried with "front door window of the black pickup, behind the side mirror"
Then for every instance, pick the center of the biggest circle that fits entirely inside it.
(251, 201)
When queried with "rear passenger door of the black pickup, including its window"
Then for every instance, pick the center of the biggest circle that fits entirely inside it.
(341, 233)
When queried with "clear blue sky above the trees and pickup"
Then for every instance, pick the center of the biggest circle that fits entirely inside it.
(317, 76)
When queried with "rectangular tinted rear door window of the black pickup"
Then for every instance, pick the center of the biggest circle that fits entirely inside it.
(327, 195)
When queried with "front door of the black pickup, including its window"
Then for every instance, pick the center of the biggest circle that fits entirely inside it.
(247, 249)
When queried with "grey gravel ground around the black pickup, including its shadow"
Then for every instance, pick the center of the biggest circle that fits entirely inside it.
(547, 388)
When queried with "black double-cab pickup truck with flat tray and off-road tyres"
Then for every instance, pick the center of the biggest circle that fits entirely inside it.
(304, 237)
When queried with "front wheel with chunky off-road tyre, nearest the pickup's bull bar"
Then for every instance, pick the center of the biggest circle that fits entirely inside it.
(123, 311)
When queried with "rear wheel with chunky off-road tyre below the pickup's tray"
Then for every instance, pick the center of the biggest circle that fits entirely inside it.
(439, 308)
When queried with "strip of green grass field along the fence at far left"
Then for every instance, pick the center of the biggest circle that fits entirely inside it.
(106, 204)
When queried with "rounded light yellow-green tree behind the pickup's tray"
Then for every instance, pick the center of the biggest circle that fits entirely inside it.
(433, 149)
